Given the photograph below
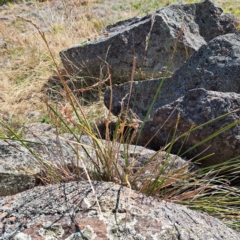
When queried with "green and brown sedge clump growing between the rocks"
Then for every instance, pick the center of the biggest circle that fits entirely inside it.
(207, 189)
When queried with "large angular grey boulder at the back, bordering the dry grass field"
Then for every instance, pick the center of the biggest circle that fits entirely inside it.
(151, 39)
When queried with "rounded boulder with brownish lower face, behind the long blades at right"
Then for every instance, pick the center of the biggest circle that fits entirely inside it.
(197, 107)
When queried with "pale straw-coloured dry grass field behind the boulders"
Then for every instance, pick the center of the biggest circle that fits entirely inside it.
(26, 64)
